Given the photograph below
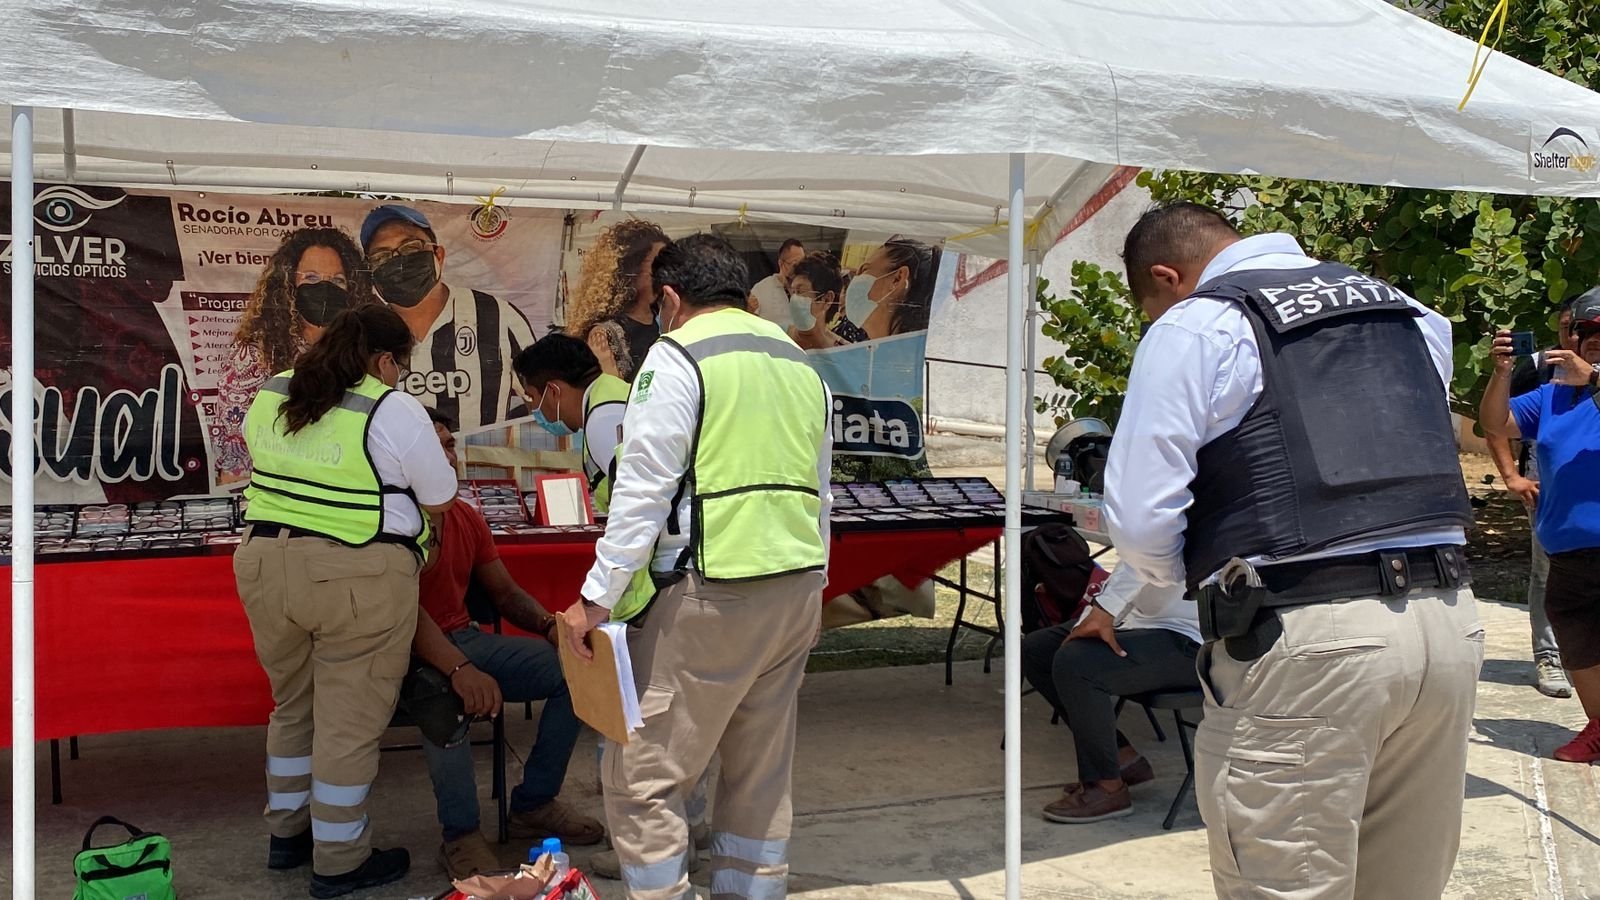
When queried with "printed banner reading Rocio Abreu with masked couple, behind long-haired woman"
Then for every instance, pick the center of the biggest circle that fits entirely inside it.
(159, 315)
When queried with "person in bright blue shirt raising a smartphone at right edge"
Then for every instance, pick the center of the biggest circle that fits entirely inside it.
(1562, 419)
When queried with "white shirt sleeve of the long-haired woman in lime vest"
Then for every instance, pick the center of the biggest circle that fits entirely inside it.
(406, 452)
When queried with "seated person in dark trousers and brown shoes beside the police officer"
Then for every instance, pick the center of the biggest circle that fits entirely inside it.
(1084, 669)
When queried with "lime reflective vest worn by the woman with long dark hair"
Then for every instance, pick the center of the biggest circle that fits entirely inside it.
(321, 480)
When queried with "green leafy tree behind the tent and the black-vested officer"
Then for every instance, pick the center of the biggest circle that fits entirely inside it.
(1486, 262)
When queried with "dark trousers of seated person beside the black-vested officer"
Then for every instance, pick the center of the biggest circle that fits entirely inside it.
(1084, 678)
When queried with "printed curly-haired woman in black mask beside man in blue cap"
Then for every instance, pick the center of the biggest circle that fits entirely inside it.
(314, 275)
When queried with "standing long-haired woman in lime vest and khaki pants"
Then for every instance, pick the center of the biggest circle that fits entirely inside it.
(346, 473)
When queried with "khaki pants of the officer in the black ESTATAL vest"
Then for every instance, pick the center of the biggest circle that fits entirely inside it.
(1335, 766)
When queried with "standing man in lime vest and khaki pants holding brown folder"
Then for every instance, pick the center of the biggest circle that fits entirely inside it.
(738, 545)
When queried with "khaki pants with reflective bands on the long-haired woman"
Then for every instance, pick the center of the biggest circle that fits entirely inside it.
(334, 629)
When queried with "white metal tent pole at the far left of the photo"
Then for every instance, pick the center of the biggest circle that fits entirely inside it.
(23, 504)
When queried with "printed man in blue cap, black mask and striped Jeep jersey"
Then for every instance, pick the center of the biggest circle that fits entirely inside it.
(466, 339)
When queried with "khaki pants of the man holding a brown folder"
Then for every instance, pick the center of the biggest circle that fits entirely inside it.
(719, 670)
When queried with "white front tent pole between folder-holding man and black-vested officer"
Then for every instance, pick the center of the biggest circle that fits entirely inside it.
(1014, 540)
